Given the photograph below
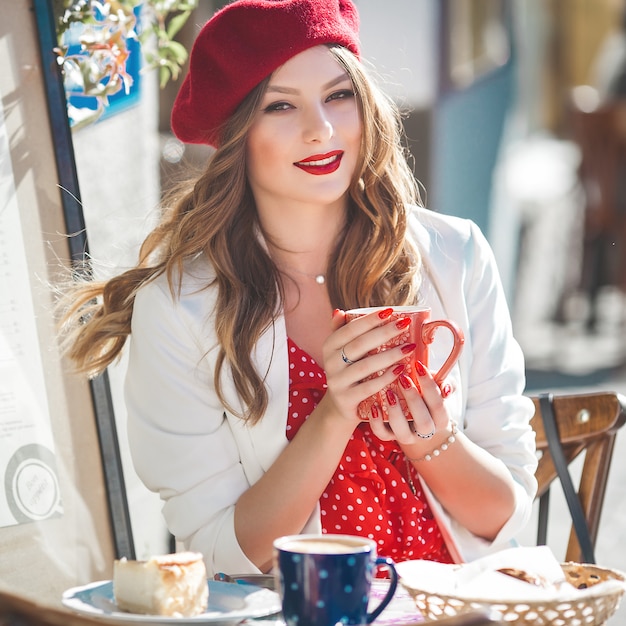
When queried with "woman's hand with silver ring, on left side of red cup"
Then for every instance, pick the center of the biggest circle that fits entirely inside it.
(348, 363)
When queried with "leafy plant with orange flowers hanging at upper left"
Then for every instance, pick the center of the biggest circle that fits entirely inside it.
(97, 37)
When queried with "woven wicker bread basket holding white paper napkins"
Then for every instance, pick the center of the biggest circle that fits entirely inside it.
(593, 609)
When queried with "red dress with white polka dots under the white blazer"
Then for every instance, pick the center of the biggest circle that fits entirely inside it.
(374, 492)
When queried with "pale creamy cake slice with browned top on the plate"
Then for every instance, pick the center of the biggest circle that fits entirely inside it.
(174, 585)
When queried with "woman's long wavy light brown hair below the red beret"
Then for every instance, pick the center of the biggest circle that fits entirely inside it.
(215, 215)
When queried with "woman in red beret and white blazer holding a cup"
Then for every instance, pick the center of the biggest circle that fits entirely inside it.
(244, 377)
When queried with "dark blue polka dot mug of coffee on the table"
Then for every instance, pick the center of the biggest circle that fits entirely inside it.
(324, 580)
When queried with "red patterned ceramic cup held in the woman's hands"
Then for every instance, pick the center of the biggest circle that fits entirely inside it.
(421, 332)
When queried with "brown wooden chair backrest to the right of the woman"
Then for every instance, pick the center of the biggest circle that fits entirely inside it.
(586, 423)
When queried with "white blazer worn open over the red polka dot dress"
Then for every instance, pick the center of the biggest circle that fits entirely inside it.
(200, 458)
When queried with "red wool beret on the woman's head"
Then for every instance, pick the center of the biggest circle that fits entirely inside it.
(242, 44)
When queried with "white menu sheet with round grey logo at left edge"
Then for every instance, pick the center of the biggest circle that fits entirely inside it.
(27, 458)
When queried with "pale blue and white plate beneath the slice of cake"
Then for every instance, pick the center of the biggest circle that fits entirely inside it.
(228, 603)
